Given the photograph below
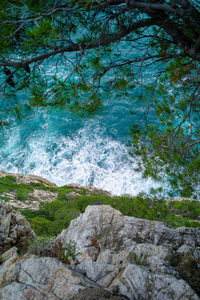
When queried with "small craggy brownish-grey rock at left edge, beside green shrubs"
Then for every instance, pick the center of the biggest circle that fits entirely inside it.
(14, 229)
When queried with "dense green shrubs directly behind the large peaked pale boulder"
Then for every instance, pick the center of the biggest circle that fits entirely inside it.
(53, 217)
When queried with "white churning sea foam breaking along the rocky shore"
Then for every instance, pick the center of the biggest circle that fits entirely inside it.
(88, 157)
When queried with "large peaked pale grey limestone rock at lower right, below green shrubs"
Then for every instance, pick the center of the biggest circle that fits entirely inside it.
(132, 257)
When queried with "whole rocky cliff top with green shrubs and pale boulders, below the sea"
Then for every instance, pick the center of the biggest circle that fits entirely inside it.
(101, 253)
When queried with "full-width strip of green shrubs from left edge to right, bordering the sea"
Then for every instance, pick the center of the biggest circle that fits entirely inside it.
(52, 217)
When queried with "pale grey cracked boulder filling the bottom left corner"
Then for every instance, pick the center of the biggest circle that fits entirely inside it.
(41, 278)
